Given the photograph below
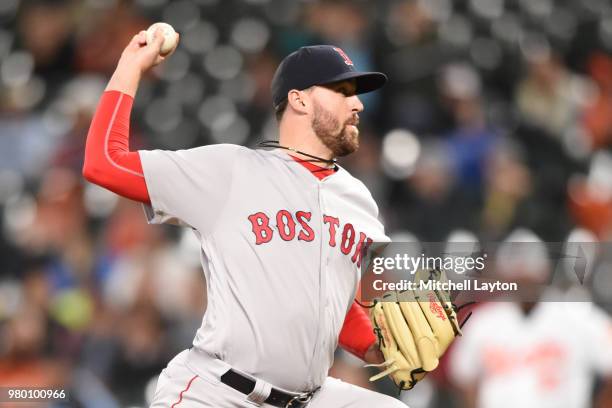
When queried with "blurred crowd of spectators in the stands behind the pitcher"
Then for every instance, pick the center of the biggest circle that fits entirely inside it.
(497, 115)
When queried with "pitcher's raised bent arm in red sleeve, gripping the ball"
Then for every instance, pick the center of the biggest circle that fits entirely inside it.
(108, 159)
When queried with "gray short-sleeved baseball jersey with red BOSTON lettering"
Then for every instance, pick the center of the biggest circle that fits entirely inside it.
(280, 250)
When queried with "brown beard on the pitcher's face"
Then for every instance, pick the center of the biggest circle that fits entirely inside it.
(341, 139)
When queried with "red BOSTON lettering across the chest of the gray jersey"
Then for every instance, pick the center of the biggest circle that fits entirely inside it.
(289, 226)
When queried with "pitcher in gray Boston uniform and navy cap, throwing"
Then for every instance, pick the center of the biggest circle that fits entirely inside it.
(281, 234)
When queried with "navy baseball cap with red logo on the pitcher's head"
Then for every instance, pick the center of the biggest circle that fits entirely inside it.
(319, 65)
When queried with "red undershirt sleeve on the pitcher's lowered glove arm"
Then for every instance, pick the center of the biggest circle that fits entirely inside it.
(357, 334)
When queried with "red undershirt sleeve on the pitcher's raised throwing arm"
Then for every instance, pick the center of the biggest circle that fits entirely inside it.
(108, 160)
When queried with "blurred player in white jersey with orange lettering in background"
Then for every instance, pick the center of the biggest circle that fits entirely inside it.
(543, 354)
